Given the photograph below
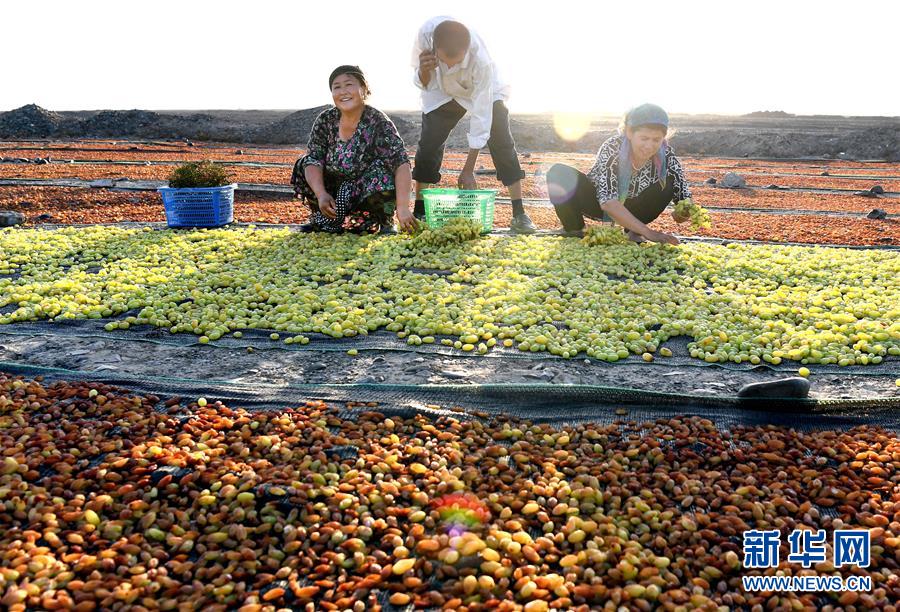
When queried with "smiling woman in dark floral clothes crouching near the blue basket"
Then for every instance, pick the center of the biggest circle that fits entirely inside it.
(356, 170)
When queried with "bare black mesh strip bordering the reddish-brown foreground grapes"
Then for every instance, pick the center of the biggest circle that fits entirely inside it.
(559, 405)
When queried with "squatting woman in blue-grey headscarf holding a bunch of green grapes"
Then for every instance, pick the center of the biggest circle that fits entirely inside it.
(636, 175)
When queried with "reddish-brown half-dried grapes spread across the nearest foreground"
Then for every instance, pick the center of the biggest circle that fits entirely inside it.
(109, 504)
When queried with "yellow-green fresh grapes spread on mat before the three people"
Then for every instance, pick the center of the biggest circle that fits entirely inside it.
(739, 303)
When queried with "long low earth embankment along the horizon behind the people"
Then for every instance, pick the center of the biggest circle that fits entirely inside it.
(761, 134)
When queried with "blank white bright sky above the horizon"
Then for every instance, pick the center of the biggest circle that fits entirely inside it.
(826, 57)
